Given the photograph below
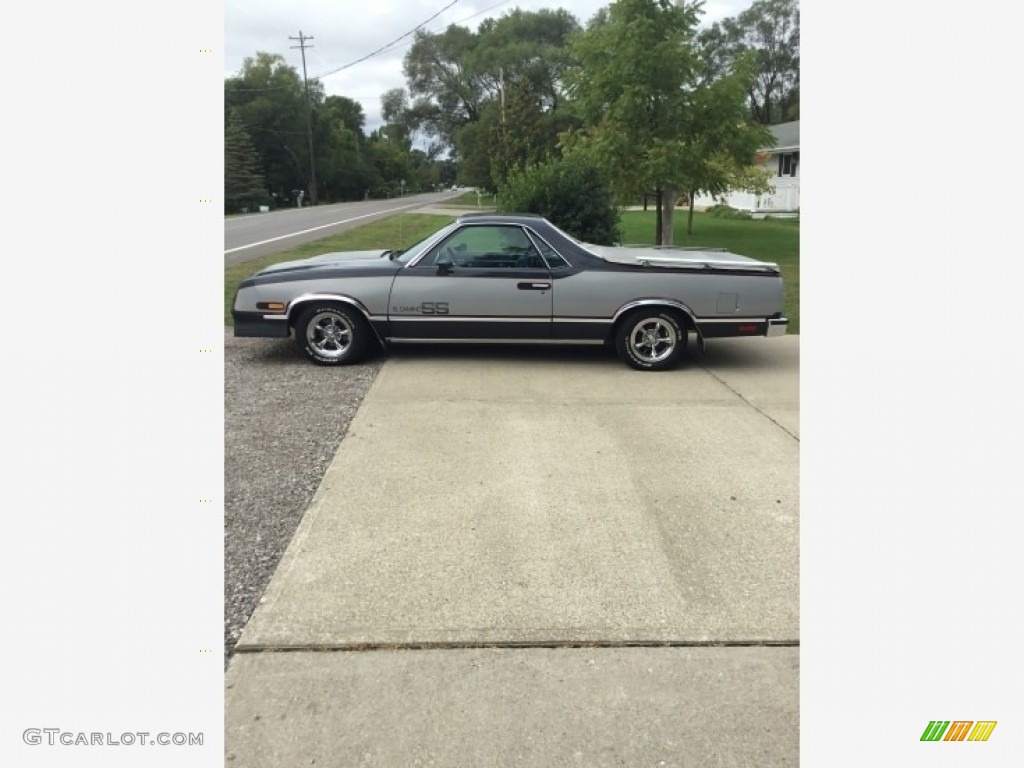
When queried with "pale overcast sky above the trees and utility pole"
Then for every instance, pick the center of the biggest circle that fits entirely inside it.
(345, 31)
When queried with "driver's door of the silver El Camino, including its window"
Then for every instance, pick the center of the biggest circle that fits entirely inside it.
(484, 282)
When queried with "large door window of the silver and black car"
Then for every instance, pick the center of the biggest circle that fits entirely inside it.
(488, 247)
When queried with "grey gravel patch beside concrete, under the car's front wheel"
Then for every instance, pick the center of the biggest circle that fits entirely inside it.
(284, 420)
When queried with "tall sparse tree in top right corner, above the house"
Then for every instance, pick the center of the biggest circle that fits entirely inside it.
(771, 31)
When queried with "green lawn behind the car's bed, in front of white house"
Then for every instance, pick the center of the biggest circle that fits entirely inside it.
(769, 240)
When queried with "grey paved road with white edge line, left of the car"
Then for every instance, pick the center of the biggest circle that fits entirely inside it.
(261, 234)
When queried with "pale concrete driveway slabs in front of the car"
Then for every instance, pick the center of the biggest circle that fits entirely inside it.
(541, 559)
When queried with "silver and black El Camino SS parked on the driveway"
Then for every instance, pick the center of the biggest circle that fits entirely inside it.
(513, 279)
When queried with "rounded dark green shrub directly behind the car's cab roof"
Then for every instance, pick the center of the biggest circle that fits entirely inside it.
(570, 194)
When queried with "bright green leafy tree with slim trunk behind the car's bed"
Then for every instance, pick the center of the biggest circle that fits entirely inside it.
(653, 118)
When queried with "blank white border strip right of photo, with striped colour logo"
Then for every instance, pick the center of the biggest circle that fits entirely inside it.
(912, 426)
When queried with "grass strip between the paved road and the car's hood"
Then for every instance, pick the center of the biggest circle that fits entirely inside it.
(395, 233)
